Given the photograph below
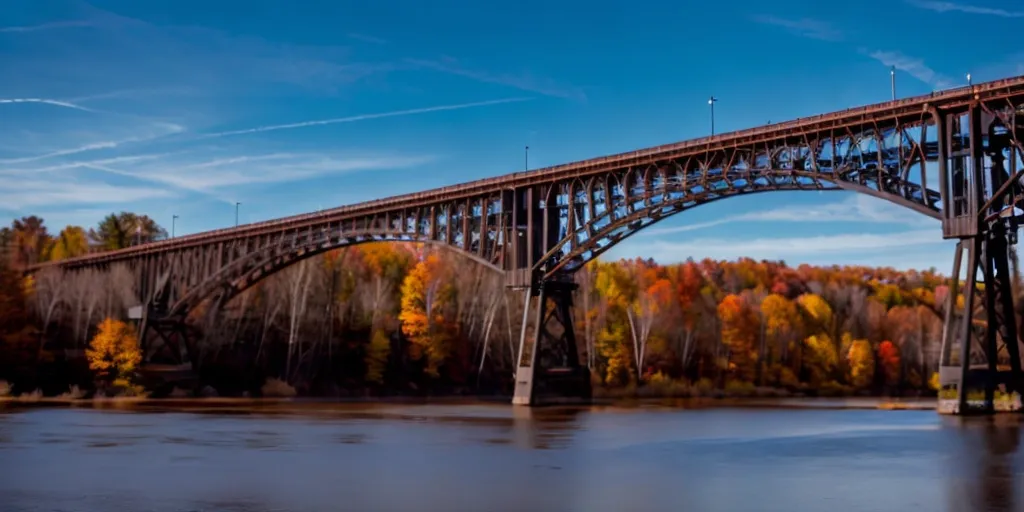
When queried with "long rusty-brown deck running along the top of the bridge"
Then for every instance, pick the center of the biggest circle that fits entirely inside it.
(908, 108)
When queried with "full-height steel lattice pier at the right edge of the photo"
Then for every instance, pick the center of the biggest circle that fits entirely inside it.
(978, 210)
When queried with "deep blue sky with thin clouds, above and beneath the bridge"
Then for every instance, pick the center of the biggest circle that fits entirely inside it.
(163, 108)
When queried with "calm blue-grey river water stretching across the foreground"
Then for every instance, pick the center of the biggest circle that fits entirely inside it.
(497, 458)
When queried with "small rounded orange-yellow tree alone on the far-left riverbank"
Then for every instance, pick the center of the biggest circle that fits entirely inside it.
(114, 353)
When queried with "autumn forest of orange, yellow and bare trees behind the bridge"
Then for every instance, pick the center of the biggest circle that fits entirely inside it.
(386, 319)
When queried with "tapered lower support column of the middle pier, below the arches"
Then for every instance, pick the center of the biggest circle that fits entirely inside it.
(548, 369)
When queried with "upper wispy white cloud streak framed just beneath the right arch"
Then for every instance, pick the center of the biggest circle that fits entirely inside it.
(856, 209)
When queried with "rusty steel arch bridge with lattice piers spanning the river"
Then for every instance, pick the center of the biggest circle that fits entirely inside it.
(954, 156)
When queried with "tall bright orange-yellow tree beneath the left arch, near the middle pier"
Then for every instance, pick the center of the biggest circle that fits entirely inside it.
(423, 301)
